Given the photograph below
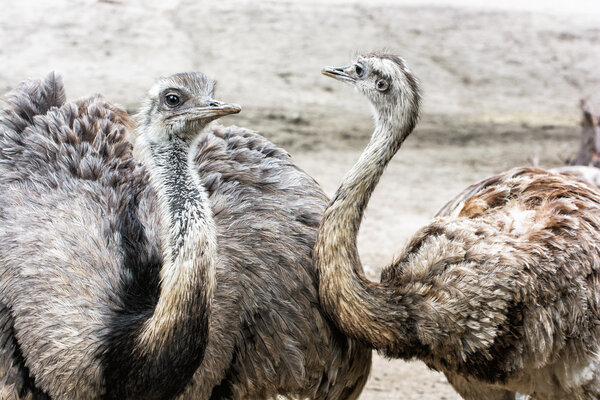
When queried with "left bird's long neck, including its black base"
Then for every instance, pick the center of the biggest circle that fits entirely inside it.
(168, 344)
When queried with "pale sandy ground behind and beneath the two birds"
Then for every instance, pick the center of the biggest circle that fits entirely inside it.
(501, 87)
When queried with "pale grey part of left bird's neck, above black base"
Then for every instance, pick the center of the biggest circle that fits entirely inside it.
(188, 237)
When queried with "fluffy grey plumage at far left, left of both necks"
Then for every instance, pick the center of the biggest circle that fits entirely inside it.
(68, 182)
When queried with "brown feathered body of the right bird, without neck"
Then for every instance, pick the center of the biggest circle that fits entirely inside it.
(513, 267)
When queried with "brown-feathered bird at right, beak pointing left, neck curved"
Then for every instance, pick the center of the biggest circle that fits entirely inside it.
(501, 291)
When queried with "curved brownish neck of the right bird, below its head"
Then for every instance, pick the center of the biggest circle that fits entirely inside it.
(359, 307)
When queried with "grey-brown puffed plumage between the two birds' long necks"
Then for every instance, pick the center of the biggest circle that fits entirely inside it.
(268, 334)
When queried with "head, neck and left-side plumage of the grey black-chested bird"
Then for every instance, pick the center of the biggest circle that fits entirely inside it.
(91, 308)
